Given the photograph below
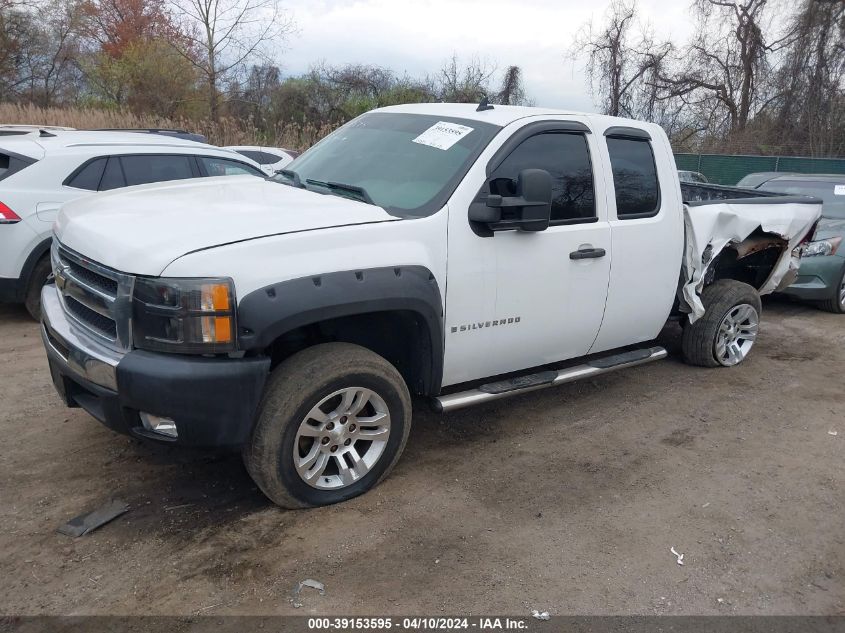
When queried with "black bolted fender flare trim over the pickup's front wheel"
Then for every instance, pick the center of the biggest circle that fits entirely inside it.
(267, 313)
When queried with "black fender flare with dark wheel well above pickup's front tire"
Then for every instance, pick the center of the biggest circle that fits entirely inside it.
(395, 312)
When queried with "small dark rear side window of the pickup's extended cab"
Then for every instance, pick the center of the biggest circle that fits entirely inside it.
(635, 179)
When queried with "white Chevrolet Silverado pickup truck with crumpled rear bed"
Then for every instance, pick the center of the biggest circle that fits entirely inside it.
(454, 252)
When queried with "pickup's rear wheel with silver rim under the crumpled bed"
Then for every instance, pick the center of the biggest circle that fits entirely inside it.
(732, 315)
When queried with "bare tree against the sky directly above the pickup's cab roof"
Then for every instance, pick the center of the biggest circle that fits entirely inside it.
(623, 58)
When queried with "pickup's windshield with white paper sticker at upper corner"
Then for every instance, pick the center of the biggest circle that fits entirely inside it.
(409, 164)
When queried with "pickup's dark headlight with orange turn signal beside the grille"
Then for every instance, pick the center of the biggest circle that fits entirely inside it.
(188, 316)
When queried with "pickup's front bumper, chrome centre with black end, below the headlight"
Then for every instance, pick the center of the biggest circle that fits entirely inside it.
(213, 401)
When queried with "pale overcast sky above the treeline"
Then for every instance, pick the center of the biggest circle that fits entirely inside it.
(417, 37)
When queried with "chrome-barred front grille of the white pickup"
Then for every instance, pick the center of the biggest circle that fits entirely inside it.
(94, 297)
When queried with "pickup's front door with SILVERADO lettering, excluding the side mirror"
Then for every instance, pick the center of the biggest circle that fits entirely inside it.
(537, 297)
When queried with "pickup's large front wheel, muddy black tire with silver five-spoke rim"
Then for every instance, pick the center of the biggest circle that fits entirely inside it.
(333, 422)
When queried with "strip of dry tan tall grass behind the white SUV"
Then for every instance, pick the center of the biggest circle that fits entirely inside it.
(226, 132)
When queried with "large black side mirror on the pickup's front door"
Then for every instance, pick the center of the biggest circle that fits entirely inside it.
(531, 206)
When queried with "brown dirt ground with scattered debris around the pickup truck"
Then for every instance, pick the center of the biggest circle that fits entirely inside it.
(567, 500)
